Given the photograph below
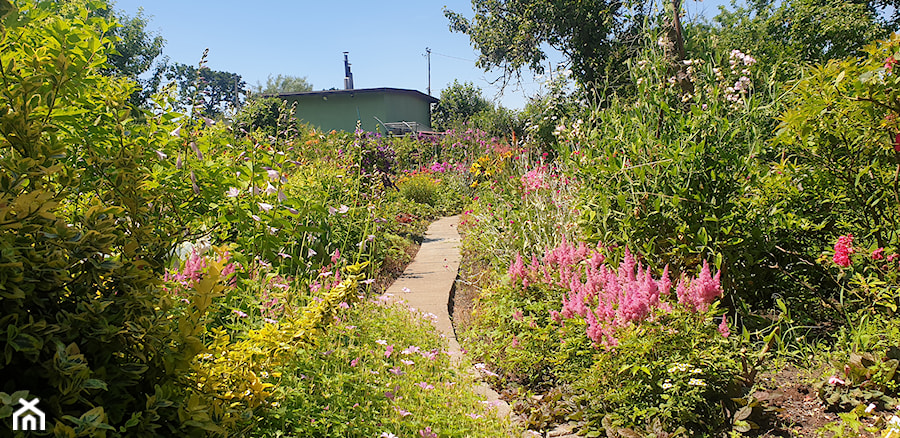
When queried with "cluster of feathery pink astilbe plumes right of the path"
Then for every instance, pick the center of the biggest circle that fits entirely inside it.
(607, 298)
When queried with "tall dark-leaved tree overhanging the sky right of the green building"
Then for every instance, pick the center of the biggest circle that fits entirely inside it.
(597, 36)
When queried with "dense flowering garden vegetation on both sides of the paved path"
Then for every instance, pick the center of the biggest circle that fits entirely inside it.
(640, 255)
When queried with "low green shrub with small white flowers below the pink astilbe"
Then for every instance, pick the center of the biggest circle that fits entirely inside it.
(673, 372)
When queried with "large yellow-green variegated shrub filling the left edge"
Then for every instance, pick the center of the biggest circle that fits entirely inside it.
(83, 237)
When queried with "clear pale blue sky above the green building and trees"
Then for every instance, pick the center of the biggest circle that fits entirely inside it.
(386, 41)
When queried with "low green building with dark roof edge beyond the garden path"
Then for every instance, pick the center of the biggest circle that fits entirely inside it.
(382, 109)
